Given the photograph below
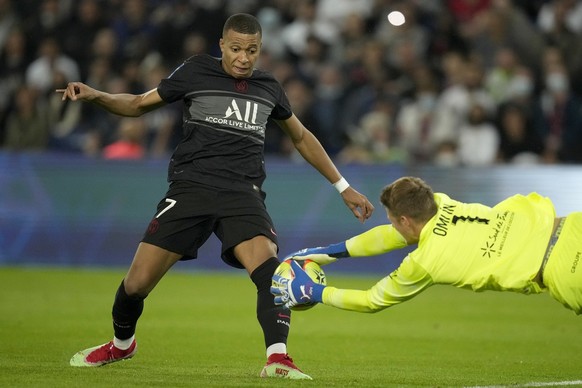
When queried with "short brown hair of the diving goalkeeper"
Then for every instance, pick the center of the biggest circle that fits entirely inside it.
(411, 197)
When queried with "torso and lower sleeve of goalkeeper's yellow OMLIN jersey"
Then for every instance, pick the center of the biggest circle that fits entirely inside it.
(467, 245)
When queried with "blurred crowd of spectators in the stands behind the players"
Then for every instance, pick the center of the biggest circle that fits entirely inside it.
(461, 82)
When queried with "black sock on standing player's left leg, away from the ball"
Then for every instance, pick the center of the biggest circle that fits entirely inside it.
(126, 311)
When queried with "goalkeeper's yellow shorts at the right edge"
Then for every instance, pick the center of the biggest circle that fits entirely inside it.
(563, 272)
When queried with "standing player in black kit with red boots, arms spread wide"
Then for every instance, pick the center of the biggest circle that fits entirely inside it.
(216, 174)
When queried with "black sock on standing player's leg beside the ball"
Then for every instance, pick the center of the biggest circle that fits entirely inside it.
(274, 320)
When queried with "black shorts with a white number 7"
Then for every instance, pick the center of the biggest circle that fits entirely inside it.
(191, 212)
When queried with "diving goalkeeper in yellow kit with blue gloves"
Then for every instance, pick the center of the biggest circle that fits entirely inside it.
(517, 245)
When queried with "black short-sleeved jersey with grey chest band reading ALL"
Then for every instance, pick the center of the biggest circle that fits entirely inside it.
(224, 122)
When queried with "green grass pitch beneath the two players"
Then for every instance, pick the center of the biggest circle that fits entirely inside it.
(199, 330)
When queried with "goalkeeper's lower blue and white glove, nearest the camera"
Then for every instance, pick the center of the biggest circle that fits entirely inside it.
(301, 289)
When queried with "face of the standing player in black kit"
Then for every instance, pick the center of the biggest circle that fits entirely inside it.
(240, 53)
